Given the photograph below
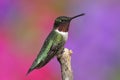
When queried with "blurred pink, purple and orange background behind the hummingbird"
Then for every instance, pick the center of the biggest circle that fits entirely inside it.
(94, 38)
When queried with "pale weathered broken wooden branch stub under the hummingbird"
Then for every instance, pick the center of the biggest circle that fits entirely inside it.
(65, 63)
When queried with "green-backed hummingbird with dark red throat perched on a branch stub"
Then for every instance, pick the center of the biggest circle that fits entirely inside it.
(54, 43)
